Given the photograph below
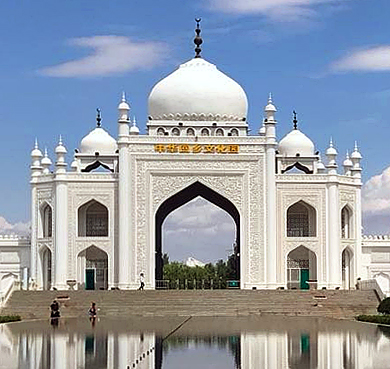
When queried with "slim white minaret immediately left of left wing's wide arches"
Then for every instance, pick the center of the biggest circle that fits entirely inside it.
(60, 219)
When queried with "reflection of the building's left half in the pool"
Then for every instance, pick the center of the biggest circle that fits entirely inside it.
(64, 350)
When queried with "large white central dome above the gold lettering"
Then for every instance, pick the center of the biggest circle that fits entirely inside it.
(197, 90)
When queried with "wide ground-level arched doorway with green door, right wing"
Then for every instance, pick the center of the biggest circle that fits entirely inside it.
(301, 267)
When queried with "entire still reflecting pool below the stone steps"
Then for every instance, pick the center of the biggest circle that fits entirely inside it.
(197, 342)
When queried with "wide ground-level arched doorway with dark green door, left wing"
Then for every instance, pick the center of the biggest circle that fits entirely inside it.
(93, 269)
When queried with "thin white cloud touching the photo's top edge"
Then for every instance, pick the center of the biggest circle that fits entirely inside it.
(286, 10)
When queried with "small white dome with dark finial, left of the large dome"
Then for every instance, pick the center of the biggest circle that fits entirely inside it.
(99, 141)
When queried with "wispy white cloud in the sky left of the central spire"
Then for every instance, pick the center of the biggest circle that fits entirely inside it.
(111, 55)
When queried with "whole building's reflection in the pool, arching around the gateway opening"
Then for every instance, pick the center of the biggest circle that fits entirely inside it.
(323, 346)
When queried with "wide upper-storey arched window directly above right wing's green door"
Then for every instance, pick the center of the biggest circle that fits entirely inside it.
(301, 220)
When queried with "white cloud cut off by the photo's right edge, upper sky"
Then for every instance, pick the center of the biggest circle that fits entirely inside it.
(371, 59)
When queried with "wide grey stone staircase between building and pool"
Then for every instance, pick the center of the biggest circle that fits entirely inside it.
(324, 303)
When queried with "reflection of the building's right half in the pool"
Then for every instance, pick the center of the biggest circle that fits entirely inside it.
(307, 350)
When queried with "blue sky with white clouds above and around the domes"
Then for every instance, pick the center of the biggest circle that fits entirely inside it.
(327, 59)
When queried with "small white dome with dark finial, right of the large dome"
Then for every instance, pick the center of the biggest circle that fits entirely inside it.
(296, 143)
